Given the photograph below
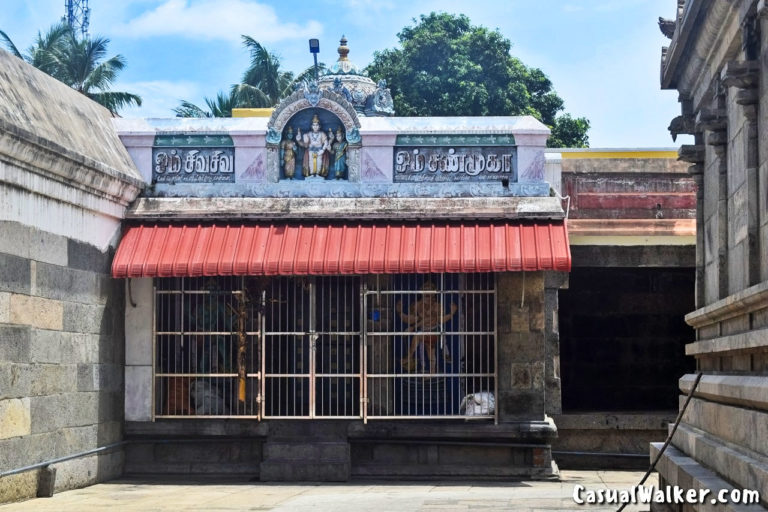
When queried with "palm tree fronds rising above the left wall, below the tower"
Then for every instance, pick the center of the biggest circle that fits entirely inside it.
(78, 63)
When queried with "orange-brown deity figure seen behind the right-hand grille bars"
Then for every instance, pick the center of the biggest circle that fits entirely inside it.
(425, 316)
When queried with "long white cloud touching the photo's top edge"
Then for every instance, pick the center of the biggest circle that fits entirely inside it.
(216, 19)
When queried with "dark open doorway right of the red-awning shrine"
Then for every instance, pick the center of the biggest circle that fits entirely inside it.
(623, 337)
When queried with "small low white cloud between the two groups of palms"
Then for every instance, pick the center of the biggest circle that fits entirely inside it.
(158, 97)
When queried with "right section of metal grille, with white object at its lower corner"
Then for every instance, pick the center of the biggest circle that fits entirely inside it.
(430, 346)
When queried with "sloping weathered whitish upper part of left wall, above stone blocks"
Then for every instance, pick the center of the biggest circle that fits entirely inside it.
(62, 168)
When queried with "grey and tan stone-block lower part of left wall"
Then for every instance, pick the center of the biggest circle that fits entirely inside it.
(61, 358)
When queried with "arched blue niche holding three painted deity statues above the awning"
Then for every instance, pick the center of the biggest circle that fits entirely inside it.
(310, 149)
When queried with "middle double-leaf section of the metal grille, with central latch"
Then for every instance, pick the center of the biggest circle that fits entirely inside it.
(312, 362)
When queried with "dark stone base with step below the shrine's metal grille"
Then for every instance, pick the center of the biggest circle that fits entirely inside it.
(343, 450)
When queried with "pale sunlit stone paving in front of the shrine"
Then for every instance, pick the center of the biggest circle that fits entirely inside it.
(134, 495)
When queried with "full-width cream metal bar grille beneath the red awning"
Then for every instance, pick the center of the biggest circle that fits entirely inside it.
(397, 346)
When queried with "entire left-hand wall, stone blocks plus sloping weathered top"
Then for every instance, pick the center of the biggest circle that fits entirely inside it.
(65, 181)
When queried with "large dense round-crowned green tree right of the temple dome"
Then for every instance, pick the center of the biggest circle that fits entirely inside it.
(445, 66)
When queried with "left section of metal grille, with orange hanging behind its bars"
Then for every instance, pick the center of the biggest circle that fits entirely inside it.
(206, 344)
